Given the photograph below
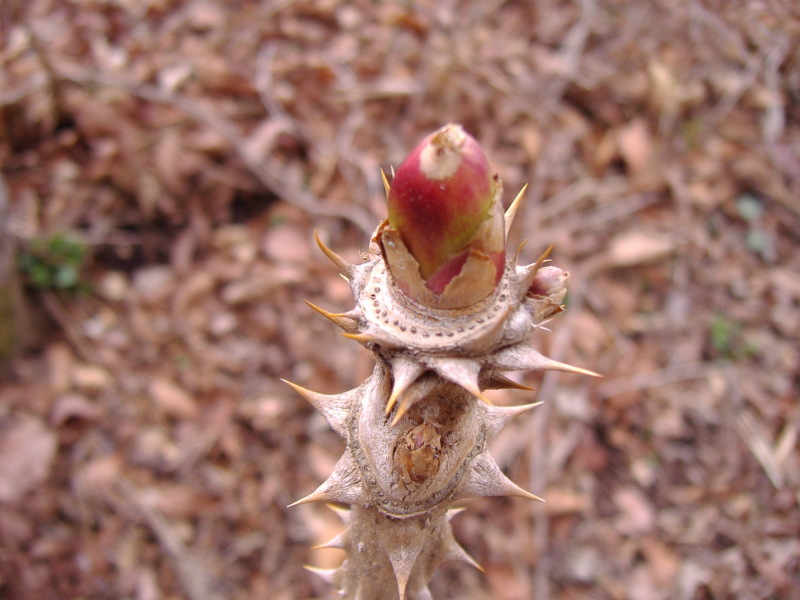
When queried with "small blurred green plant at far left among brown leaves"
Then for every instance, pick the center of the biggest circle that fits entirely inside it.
(54, 263)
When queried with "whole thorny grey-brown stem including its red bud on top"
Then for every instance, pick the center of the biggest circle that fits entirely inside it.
(417, 429)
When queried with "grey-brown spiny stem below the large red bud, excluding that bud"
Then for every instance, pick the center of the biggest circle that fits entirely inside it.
(417, 429)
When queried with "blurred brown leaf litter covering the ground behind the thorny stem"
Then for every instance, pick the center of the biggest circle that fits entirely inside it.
(164, 165)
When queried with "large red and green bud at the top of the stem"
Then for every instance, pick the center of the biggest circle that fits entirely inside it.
(445, 238)
